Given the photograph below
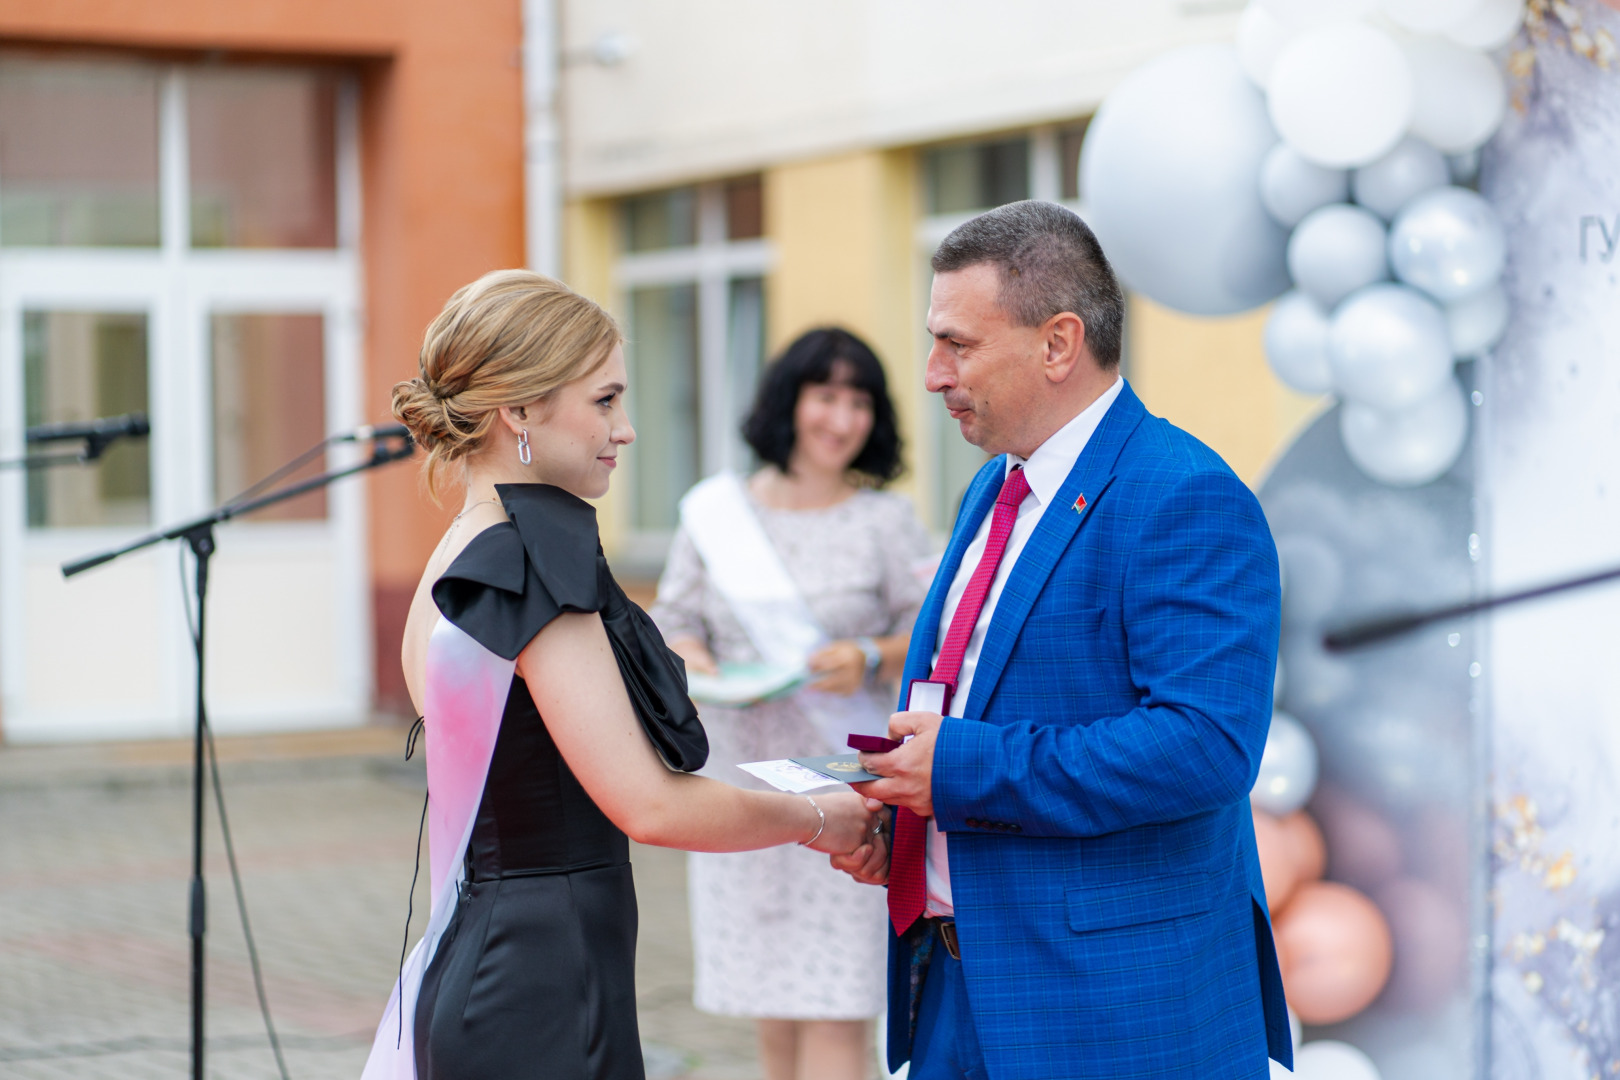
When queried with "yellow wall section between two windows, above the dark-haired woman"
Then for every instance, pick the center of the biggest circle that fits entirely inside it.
(843, 236)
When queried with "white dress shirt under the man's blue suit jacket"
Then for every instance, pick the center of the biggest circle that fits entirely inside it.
(1046, 470)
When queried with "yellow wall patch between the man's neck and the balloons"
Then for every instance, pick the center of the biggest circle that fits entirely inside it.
(1209, 378)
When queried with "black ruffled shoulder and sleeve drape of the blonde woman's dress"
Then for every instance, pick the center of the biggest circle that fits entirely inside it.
(516, 577)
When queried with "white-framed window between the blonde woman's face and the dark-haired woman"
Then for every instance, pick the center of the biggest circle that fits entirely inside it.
(691, 276)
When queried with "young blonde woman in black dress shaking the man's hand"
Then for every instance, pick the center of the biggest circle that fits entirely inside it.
(556, 720)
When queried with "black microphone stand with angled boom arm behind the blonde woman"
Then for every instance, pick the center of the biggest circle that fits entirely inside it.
(200, 537)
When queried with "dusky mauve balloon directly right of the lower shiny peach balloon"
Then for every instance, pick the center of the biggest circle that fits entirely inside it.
(1431, 945)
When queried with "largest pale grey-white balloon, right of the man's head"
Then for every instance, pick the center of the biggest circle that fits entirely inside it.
(1170, 168)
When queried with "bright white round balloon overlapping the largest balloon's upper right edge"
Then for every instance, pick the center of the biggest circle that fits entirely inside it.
(1342, 95)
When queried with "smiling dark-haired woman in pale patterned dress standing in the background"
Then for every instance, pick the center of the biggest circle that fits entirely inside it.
(780, 935)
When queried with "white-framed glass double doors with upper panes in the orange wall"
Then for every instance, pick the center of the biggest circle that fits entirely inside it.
(179, 240)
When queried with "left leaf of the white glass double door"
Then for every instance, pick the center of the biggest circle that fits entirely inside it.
(87, 661)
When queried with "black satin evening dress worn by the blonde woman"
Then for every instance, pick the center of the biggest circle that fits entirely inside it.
(535, 976)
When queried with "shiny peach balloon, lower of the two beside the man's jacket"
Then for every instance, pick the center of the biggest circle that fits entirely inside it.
(1336, 953)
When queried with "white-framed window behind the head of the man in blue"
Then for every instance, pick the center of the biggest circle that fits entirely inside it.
(958, 182)
